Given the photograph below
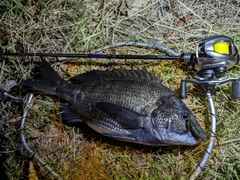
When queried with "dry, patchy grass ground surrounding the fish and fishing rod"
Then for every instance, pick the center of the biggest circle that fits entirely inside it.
(80, 26)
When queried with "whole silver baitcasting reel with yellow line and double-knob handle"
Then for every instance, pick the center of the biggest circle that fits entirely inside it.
(213, 57)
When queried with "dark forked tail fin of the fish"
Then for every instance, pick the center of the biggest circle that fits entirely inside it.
(49, 80)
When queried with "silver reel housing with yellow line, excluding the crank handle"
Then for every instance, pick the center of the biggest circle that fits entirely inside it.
(217, 55)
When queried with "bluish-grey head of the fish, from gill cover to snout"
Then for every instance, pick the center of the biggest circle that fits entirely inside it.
(173, 123)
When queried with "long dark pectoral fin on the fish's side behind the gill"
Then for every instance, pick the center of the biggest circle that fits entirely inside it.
(126, 117)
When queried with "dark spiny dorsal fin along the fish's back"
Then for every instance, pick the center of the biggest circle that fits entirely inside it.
(115, 73)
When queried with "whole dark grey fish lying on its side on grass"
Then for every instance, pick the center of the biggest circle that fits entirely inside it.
(127, 105)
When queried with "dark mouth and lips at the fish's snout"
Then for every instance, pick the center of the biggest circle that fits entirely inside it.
(195, 128)
